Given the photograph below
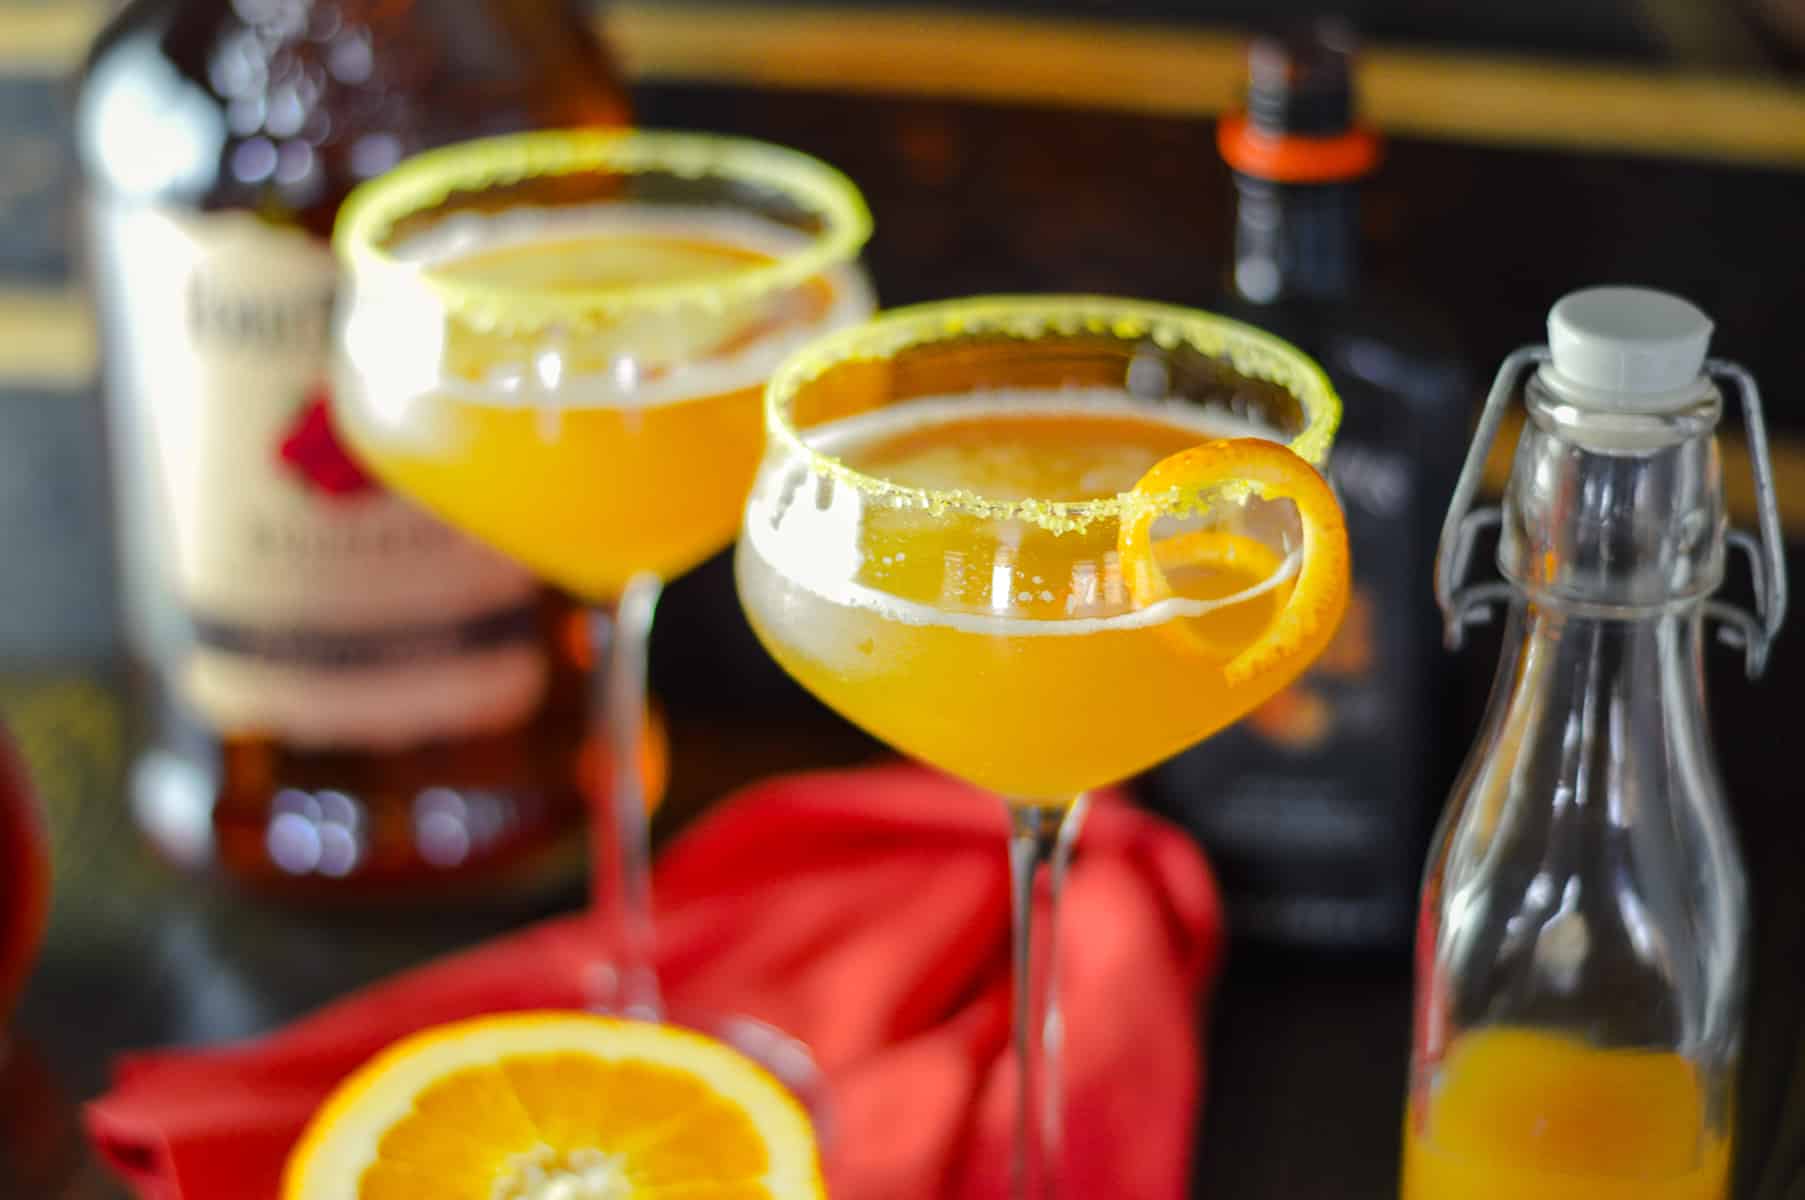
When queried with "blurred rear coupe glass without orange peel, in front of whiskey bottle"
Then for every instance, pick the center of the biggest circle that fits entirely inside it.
(559, 342)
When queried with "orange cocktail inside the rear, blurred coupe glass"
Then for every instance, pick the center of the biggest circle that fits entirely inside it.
(595, 466)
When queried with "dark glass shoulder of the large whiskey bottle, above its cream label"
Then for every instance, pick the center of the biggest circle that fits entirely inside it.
(187, 102)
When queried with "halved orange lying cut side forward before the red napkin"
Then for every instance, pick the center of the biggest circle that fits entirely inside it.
(557, 1107)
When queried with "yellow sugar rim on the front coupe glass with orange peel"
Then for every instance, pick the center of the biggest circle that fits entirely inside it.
(1248, 351)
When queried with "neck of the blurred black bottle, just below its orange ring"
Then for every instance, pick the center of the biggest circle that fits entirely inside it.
(1295, 241)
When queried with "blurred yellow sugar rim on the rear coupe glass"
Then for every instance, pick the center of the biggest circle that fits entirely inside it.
(427, 181)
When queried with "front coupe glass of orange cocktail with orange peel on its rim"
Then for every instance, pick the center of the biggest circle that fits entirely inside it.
(1044, 544)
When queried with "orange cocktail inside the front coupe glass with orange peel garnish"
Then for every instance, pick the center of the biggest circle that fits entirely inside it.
(1019, 660)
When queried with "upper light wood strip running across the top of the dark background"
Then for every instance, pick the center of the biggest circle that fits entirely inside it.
(1131, 68)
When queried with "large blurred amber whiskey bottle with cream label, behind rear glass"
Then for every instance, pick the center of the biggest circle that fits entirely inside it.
(338, 696)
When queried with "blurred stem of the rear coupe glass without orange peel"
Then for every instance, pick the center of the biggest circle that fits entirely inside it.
(625, 984)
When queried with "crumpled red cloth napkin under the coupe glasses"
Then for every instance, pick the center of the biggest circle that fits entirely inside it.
(865, 912)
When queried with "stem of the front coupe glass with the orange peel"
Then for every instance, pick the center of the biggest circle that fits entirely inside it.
(1041, 845)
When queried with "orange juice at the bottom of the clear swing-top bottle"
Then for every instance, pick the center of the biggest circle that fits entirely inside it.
(1521, 1112)
